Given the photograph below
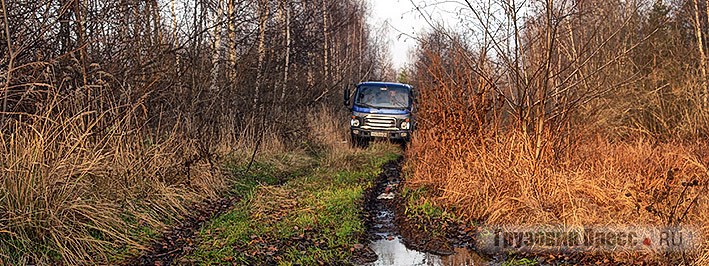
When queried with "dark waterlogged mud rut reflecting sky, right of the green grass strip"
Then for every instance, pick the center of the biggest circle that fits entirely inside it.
(395, 240)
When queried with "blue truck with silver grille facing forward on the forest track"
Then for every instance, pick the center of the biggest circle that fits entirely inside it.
(380, 110)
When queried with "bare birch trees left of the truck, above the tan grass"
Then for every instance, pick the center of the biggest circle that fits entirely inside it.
(198, 63)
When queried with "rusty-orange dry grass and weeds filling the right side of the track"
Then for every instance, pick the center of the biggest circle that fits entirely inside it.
(491, 176)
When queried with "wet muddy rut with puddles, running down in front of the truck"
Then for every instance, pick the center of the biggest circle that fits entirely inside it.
(383, 208)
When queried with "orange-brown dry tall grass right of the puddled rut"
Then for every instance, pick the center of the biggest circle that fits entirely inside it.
(601, 182)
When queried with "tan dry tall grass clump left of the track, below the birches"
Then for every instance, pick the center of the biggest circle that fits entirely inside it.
(72, 194)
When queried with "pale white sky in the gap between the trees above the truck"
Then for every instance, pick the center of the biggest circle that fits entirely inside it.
(399, 18)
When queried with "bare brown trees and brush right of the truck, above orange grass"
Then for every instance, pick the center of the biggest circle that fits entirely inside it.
(629, 68)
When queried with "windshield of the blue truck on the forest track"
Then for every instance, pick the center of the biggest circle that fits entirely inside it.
(383, 97)
